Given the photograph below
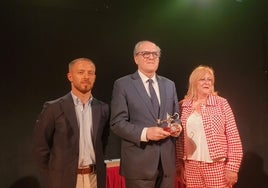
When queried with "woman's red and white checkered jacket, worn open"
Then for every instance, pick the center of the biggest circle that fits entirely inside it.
(220, 129)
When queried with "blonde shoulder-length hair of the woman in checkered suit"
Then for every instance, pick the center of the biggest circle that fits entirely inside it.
(198, 73)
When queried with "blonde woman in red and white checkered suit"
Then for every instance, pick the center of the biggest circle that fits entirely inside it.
(210, 147)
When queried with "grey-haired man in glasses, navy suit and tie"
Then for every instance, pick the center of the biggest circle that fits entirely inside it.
(147, 150)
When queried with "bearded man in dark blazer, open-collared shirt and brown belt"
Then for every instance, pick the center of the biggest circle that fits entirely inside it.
(71, 133)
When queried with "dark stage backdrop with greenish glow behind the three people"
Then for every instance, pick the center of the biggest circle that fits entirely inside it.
(39, 38)
